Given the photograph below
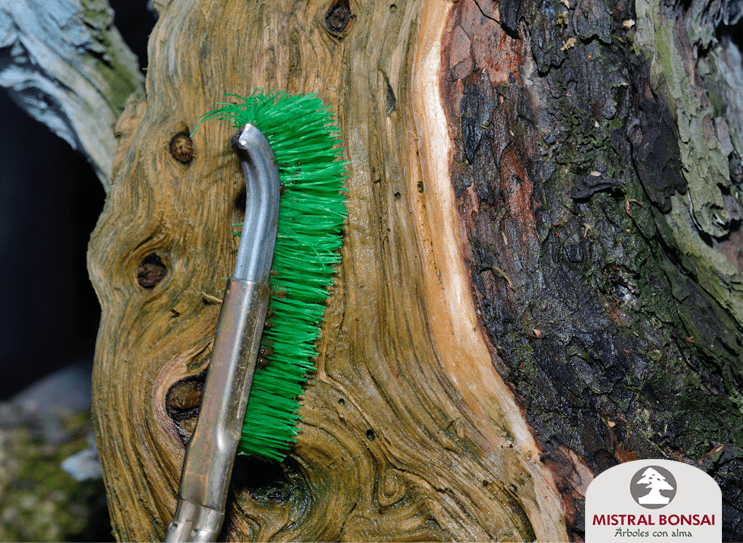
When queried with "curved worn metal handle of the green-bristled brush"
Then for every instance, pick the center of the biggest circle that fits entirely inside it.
(210, 455)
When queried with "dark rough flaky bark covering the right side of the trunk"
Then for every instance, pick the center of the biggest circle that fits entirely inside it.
(597, 179)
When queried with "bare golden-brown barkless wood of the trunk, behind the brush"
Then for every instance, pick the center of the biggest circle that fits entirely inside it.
(408, 432)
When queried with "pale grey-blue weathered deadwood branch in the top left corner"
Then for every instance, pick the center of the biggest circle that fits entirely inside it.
(65, 64)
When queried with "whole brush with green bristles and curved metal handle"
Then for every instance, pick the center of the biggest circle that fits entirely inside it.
(287, 145)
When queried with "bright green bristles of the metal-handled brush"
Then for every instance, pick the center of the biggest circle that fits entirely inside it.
(305, 142)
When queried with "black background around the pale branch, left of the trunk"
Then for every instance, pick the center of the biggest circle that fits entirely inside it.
(50, 200)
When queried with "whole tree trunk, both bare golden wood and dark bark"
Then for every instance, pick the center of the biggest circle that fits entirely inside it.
(540, 275)
